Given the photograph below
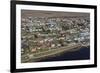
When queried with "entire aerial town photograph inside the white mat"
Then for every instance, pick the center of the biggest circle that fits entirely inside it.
(54, 36)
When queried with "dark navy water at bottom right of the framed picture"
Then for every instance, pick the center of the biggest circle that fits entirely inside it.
(81, 54)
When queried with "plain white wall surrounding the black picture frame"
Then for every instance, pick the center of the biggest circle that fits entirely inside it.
(5, 36)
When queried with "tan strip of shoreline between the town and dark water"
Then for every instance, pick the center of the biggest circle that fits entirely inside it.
(53, 53)
